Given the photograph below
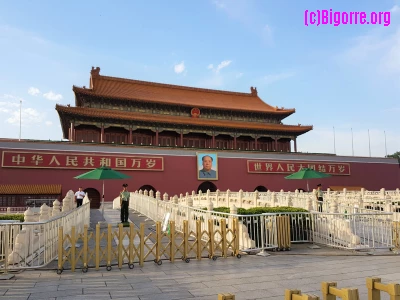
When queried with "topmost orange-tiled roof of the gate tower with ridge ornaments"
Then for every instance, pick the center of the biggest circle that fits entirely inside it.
(128, 89)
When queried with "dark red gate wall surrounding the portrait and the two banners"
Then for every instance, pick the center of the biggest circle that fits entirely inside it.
(180, 176)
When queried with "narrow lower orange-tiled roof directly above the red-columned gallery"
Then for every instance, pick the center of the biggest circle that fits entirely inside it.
(135, 116)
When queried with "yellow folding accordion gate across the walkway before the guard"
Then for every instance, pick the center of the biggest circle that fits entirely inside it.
(129, 245)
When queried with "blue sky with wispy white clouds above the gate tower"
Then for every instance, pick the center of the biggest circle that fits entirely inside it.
(344, 80)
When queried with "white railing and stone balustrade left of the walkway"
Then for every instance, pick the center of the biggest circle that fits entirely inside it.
(33, 243)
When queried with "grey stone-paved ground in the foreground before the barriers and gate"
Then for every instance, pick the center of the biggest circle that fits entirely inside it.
(251, 277)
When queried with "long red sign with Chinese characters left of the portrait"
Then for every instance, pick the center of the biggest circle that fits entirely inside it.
(46, 160)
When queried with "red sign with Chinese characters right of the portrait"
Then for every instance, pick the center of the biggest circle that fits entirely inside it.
(268, 166)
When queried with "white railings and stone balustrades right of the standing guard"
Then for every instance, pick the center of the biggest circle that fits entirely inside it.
(349, 230)
